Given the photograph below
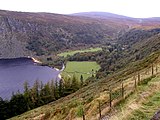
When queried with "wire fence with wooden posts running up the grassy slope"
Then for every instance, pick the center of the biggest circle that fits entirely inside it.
(122, 88)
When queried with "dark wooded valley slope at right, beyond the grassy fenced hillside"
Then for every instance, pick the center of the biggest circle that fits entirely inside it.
(131, 46)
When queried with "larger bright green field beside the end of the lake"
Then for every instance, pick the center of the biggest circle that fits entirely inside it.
(80, 68)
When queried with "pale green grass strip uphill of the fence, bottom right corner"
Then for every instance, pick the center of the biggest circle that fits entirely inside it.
(141, 105)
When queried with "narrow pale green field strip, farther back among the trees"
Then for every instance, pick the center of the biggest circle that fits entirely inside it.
(64, 54)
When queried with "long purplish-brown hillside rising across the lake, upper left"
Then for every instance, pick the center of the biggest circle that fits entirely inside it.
(39, 34)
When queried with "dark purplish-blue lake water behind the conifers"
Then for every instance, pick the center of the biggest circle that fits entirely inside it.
(14, 72)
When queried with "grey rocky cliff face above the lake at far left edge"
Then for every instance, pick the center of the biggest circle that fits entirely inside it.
(11, 43)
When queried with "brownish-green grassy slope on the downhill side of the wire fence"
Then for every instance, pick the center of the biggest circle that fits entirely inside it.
(88, 97)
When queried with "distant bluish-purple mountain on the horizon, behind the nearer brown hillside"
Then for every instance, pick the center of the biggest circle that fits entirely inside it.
(139, 23)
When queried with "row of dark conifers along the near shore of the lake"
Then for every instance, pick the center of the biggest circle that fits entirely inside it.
(38, 95)
